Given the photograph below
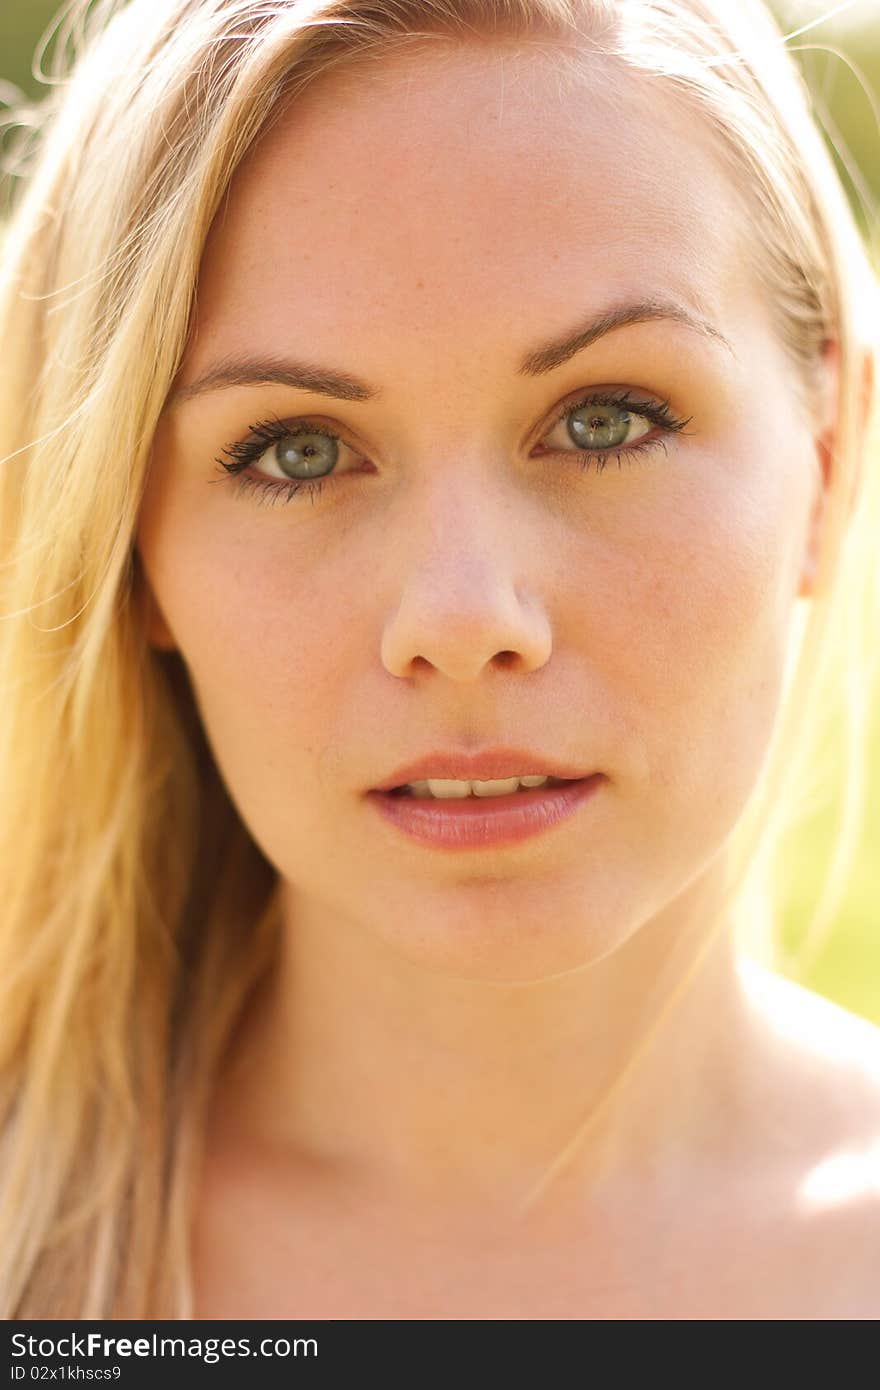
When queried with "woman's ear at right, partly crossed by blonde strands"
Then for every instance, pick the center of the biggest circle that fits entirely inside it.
(826, 455)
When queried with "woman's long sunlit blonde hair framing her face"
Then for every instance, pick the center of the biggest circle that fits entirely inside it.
(137, 910)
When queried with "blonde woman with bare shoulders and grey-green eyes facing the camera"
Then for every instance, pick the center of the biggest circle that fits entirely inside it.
(380, 819)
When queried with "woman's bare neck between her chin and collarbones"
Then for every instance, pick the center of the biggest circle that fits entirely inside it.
(464, 1092)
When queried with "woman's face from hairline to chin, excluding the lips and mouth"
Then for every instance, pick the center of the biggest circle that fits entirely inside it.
(462, 582)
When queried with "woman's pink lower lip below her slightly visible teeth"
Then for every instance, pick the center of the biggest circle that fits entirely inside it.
(484, 822)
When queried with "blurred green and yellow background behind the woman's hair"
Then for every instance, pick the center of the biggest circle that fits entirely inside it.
(840, 58)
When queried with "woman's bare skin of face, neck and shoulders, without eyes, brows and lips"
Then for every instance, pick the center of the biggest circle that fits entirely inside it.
(441, 1024)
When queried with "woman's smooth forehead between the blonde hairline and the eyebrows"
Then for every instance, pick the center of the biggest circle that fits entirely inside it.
(455, 184)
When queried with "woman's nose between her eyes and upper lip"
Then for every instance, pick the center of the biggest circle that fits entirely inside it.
(466, 596)
